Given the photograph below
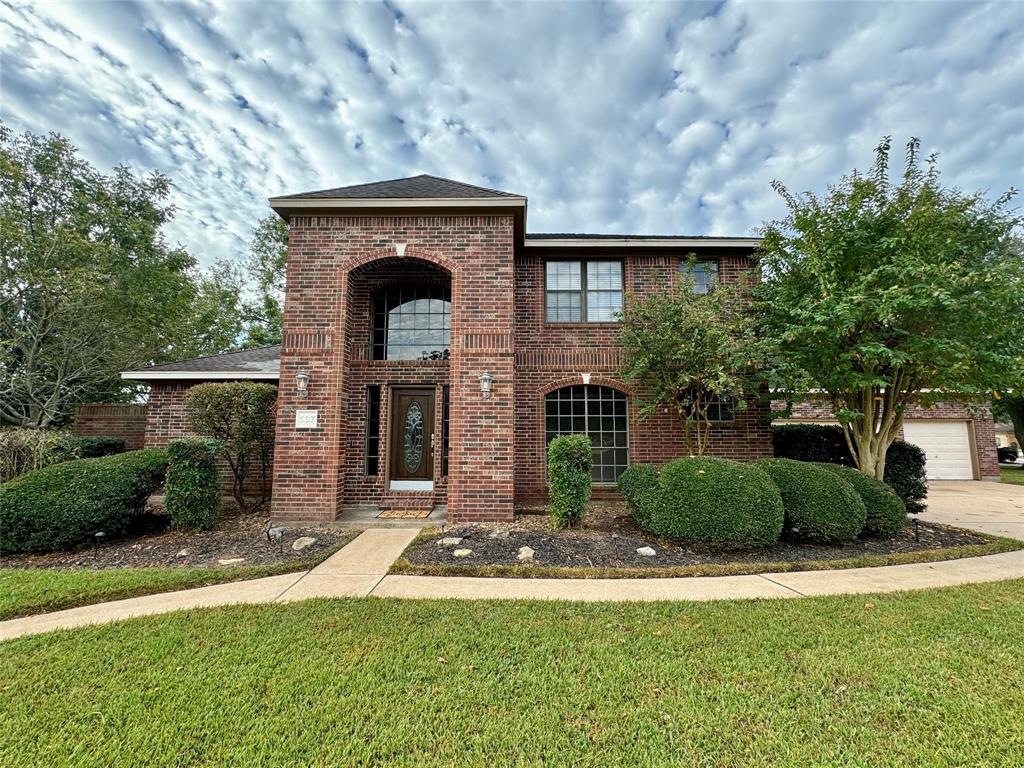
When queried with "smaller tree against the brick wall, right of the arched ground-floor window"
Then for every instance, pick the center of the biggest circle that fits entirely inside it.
(687, 351)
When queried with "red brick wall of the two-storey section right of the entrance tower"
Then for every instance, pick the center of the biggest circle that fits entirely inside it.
(550, 356)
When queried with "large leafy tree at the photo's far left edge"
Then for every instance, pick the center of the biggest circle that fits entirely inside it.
(89, 285)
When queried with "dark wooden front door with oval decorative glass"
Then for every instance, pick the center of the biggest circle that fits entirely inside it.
(412, 444)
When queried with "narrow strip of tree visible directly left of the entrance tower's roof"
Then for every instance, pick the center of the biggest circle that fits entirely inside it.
(266, 267)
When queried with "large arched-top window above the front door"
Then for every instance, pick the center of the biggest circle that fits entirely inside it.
(411, 323)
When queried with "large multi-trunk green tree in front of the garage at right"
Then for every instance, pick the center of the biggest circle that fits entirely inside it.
(881, 293)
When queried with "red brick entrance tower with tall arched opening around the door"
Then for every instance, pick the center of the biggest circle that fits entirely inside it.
(333, 264)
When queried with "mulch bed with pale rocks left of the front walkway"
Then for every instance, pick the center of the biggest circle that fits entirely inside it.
(154, 544)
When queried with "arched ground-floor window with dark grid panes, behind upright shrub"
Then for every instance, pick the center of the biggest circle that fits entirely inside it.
(601, 413)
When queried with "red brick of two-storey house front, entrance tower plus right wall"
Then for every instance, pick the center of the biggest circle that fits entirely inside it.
(498, 444)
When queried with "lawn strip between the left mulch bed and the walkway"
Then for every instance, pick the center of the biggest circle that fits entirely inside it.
(27, 591)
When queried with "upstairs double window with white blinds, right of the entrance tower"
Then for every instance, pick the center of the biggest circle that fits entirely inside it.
(583, 291)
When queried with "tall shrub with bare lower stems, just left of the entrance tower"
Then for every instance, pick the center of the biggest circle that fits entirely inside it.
(241, 416)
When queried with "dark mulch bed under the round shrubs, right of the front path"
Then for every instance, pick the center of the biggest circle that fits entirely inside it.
(611, 540)
